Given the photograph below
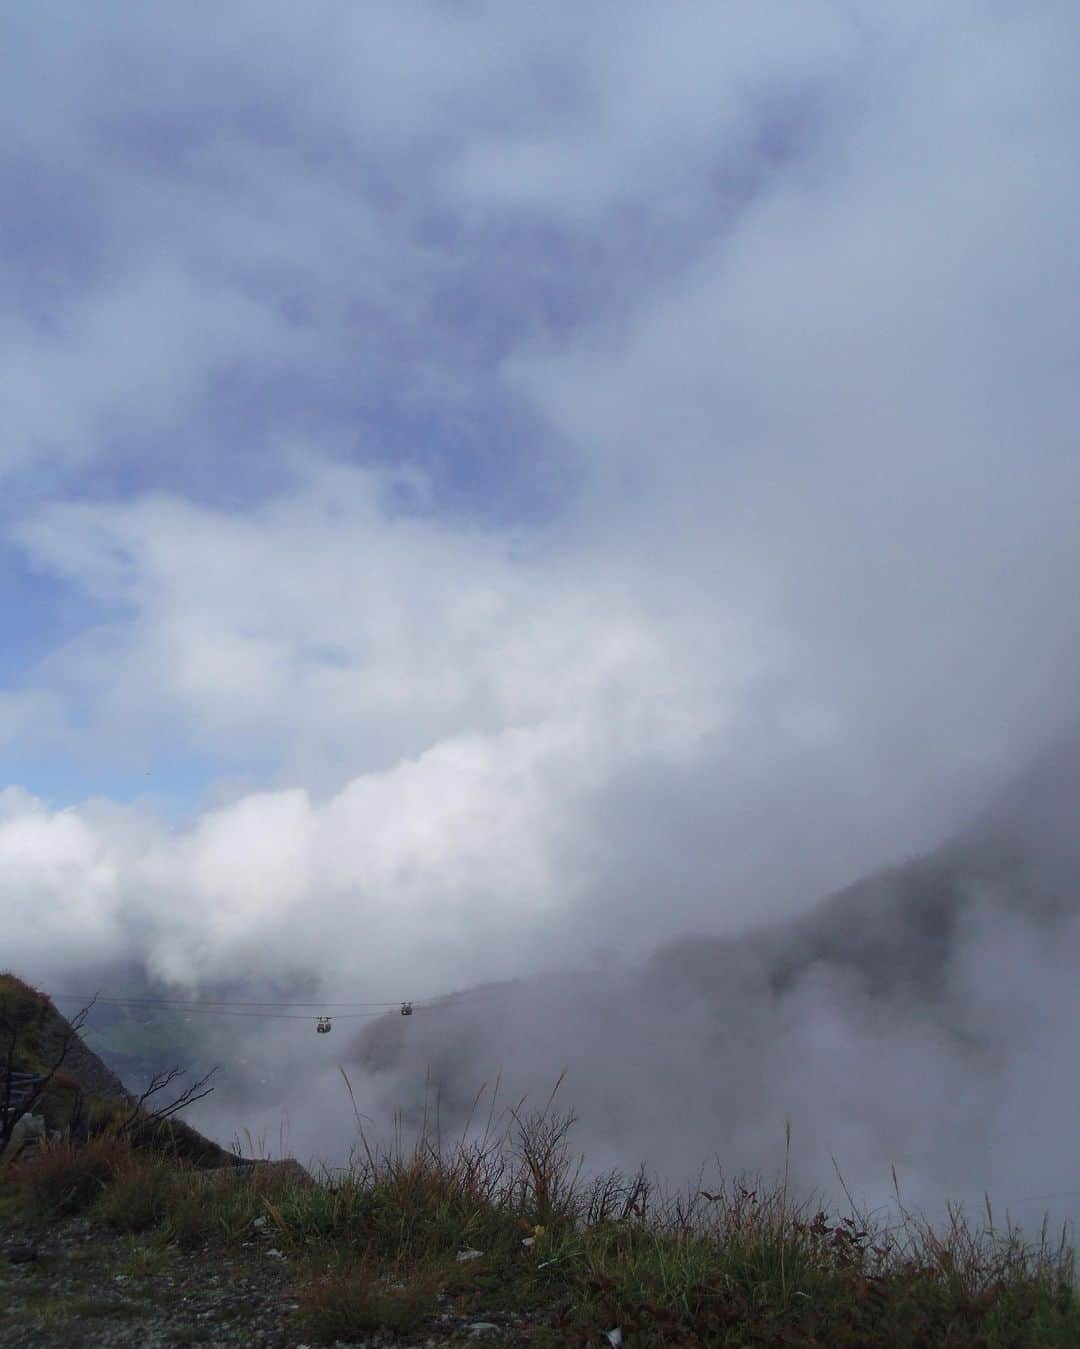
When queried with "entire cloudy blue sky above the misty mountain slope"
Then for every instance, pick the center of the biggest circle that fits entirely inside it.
(490, 489)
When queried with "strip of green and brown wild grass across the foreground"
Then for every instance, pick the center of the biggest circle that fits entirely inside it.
(377, 1247)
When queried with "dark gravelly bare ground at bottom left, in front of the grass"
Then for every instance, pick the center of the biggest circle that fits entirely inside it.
(79, 1285)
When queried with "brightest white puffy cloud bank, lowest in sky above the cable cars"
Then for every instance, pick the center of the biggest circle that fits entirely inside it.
(436, 872)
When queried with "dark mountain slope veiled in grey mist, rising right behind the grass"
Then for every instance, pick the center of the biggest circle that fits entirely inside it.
(926, 1018)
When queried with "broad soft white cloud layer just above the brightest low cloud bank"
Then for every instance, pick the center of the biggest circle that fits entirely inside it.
(322, 633)
